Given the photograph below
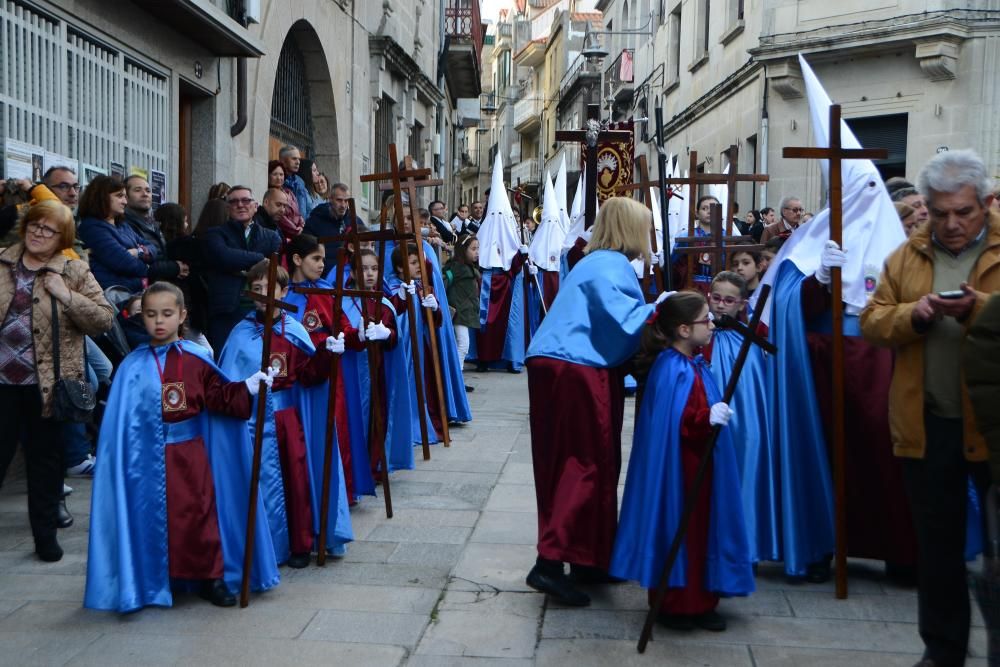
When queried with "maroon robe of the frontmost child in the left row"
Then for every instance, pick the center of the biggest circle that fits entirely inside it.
(194, 547)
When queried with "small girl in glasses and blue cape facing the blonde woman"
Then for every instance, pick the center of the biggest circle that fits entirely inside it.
(680, 408)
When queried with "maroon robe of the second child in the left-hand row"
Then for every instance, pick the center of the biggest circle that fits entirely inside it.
(309, 371)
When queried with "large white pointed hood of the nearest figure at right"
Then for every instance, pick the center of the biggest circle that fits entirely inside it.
(871, 226)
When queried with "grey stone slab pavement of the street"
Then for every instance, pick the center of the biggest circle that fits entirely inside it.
(440, 584)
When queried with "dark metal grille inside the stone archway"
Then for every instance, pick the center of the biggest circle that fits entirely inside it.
(291, 120)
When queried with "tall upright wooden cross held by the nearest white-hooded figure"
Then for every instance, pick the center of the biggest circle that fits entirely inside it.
(836, 153)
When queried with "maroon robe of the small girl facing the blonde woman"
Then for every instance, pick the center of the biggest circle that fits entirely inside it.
(695, 432)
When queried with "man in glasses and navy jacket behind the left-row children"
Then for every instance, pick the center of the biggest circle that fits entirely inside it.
(233, 248)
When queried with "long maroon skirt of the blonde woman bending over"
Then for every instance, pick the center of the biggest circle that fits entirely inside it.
(576, 454)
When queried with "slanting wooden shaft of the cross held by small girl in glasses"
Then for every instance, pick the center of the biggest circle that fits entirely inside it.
(694, 491)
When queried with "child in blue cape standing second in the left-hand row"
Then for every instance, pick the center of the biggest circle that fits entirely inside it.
(294, 448)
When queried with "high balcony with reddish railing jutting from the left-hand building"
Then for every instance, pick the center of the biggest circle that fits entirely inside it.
(464, 31)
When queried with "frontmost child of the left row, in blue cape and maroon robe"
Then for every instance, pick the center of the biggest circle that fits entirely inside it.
(169, 502)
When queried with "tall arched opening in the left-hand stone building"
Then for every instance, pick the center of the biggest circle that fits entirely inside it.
(303, 110)
